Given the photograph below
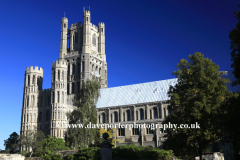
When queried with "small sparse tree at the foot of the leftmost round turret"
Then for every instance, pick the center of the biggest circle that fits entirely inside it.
(33, 141)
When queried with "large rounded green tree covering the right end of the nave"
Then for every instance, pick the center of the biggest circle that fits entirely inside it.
(197, 97)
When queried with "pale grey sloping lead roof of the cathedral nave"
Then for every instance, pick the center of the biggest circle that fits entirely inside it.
(137, 93)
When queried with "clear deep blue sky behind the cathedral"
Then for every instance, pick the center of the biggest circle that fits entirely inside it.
(145, 39)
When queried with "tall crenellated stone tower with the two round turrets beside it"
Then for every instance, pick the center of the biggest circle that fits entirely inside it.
(81, 57)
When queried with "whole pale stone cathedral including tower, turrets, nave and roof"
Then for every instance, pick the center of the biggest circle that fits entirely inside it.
(81, 57)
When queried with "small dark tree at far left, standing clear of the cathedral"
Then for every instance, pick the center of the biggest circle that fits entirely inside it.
(12, 143)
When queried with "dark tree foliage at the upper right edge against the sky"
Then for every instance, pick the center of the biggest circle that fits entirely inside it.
(235, 46)
